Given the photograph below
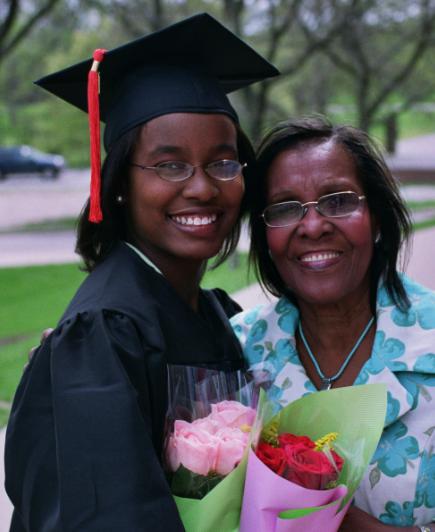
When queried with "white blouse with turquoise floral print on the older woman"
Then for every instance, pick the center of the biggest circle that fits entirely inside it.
(399, 485)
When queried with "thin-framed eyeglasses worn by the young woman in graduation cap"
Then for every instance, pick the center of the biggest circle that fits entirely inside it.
(224, 170)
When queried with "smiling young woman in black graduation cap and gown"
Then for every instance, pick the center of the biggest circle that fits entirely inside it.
(84, 440)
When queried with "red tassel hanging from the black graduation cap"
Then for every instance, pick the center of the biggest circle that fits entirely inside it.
(95, 213)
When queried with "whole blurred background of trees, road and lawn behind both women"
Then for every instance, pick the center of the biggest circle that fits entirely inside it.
(368, 63)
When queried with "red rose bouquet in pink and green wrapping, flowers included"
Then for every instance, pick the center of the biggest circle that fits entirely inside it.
(301, 476)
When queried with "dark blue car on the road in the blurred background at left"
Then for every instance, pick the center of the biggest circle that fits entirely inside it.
(25, 160)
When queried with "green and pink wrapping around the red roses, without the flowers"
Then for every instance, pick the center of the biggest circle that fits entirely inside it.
(271, 503)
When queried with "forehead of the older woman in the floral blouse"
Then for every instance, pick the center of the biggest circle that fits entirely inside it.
(312, 168)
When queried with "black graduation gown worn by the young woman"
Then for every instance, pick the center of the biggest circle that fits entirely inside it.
(84, 440)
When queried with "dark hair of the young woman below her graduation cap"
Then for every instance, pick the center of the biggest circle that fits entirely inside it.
(95, 241)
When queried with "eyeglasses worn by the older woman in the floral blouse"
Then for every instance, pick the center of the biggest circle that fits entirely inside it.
(334, 205)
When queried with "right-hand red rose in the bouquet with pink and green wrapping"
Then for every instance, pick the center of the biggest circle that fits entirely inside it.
(310, 468)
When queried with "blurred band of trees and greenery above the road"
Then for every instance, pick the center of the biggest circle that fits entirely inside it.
(369, 62)
